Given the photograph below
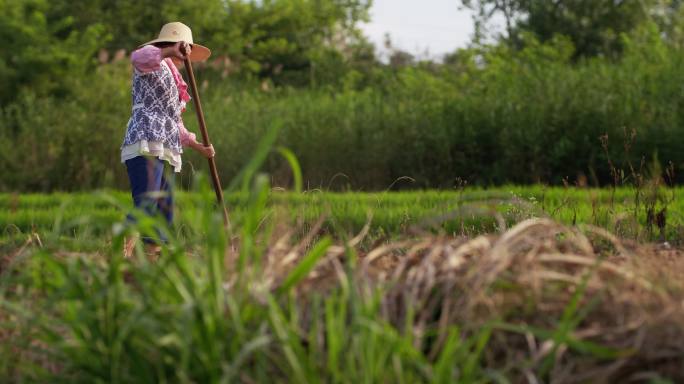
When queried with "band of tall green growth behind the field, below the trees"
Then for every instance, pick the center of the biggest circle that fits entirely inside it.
(490, 116)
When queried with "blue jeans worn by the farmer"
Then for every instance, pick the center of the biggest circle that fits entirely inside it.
(146, 176)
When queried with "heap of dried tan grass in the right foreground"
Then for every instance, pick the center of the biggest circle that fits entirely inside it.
(525, 278)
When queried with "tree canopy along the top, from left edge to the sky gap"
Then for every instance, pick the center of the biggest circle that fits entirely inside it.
(49, 42)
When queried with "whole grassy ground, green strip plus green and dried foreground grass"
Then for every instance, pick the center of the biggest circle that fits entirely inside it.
(464, 286)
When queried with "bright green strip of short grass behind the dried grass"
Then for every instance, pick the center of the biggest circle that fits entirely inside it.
(468, 211)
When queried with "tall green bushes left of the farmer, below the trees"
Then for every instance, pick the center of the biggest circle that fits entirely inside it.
(76, 139)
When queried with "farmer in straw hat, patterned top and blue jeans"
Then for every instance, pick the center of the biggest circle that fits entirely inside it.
(155, 132)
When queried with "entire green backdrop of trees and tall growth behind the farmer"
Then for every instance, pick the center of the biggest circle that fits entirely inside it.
(490, 115)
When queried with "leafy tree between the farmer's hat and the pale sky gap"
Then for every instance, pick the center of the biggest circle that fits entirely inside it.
(276, 38)
